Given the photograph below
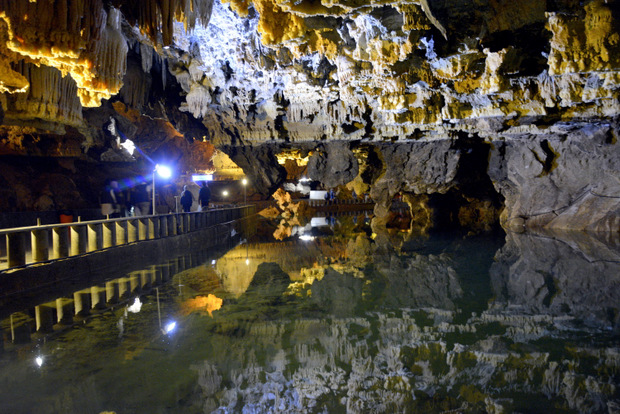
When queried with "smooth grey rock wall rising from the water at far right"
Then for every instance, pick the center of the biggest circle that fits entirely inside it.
(566, 177)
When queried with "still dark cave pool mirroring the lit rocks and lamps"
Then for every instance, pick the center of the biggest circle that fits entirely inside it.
(342, 321)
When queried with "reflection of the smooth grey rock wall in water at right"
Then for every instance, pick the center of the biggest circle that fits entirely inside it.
(574, 279)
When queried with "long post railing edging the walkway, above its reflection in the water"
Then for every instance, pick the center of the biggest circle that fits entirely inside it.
(81, 237)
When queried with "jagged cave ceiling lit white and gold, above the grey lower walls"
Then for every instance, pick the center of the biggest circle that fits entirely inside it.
(291, 75)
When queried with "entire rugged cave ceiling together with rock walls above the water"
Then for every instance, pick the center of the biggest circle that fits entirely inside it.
(511, 104)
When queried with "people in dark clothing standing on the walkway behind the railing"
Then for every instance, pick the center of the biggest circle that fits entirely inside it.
(135, 201)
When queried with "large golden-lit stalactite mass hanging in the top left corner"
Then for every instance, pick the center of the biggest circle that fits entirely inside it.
(72, 36)
